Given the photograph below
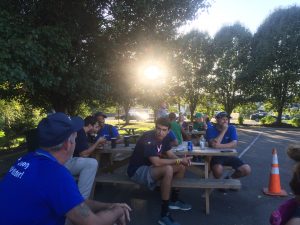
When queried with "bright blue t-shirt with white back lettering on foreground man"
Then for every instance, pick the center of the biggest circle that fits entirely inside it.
(37, 190)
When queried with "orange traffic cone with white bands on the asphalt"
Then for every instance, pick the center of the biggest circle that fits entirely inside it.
(274, 181)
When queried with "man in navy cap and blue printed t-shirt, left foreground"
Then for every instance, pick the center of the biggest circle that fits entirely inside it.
(38, 189)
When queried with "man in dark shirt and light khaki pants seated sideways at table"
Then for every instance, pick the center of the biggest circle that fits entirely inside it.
(79, 164)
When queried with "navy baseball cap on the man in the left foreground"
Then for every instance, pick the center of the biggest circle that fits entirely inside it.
(56, 128)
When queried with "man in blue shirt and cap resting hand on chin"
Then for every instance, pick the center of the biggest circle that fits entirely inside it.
(223, 135)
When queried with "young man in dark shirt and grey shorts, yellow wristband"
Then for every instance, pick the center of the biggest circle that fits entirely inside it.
(147, 166)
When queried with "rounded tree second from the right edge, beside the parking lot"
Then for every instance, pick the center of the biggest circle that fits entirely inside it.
(232, 48)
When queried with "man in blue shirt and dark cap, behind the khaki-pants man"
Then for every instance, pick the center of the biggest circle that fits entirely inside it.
(107, 131)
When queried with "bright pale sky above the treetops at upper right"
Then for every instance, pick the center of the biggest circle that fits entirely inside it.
(250, 13)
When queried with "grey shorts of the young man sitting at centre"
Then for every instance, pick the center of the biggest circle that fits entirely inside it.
(143, 176)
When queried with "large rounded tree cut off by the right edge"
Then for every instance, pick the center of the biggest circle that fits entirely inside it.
(276, 56)
